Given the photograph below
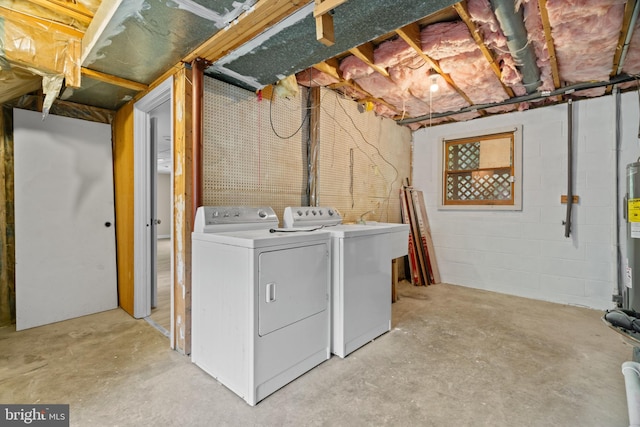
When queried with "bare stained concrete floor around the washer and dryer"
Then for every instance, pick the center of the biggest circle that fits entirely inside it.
(454, 357)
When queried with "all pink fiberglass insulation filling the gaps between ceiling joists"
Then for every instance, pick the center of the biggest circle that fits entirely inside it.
(585, 35)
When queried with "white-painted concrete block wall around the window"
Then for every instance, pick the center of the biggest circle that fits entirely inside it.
(525, 252)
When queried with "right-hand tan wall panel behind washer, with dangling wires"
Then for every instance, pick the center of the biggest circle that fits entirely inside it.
(362, 161)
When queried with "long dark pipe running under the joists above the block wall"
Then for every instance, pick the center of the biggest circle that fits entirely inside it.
(537, 96)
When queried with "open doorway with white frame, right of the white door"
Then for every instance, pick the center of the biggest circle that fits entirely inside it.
(153, 209)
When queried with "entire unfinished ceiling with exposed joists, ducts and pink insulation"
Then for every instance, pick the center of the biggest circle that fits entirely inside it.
(483, 57)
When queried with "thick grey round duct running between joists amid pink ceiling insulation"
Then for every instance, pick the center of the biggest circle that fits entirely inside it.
(512, 24)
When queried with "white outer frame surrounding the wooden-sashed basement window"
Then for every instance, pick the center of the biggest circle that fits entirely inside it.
(517, 170)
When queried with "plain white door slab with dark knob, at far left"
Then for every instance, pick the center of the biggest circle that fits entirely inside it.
(64, 219)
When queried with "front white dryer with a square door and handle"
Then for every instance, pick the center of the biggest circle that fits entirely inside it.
(260, 310)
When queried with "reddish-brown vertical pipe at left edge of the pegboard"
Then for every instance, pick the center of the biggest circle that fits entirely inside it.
(197, 77)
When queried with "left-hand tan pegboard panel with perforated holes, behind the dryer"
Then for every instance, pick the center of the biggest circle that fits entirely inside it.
(245, 162)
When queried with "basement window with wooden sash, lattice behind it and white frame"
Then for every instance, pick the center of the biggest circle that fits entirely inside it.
(483, 171)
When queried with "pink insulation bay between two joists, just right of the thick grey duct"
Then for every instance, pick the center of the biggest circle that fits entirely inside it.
(585, 34)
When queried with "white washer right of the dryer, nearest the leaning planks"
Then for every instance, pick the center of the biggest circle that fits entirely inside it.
(361, 273)
